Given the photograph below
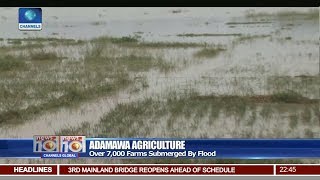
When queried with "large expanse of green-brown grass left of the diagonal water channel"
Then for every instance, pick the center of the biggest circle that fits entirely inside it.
(106, 70)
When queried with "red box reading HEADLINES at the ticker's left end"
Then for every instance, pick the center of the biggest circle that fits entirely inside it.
(28, 169)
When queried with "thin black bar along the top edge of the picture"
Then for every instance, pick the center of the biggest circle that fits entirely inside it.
(159, 3)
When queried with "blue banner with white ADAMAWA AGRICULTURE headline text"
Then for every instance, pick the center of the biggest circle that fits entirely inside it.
(46, 146)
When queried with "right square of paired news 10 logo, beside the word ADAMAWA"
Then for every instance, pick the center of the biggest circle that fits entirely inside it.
(73, 144)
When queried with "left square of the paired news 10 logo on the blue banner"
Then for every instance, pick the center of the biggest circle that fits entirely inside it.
(46, 143)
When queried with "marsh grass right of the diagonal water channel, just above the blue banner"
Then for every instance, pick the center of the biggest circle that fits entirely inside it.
(194, 109)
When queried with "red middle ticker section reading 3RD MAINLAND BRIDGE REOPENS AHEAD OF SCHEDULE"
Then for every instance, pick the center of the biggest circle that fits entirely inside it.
(166, 170)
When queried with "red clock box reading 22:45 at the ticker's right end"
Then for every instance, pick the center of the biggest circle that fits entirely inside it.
(298, 169)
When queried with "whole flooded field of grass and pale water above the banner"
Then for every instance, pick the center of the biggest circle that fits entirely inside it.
(162, 72)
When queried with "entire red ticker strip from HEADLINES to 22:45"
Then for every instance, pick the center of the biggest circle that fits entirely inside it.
(163, 169)
